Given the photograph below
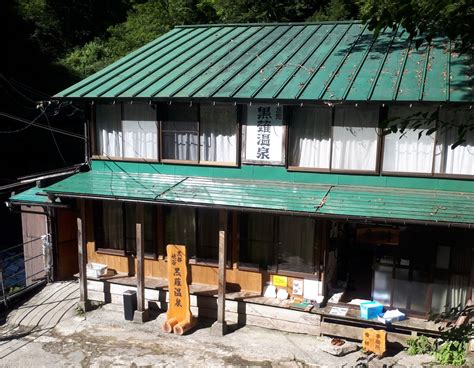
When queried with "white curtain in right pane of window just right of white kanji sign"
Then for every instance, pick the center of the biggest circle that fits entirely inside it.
(355, 136)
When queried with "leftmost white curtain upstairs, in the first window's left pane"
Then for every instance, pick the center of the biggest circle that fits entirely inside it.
(109, 130)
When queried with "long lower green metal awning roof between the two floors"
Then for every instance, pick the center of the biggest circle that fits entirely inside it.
(404, 205)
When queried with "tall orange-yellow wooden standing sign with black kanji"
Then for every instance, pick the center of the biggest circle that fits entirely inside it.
(178, 318)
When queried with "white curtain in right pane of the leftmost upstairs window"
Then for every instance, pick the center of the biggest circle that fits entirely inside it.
(140, 132)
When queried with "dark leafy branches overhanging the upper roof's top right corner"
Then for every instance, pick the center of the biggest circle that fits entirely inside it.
(424, 19)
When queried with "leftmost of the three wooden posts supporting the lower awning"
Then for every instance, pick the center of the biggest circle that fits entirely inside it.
(84, 303)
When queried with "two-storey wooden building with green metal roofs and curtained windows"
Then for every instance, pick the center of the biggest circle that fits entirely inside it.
(260, 148)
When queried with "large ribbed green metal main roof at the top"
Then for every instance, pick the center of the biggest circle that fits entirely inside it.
(284, 62)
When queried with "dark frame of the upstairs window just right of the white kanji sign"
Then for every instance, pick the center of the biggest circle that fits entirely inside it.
(294, 168)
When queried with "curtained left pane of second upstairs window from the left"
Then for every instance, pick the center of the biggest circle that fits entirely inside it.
(180, 140)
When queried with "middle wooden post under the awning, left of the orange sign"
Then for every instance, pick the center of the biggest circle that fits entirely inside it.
(141, 314)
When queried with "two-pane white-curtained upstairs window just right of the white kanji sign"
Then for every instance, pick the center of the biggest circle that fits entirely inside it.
(347, 142)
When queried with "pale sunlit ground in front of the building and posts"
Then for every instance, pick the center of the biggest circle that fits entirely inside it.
(102, 338)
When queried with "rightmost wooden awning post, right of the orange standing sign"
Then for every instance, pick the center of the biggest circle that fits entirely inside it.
(219, 327)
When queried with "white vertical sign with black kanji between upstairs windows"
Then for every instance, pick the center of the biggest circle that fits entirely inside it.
(264, 134)
